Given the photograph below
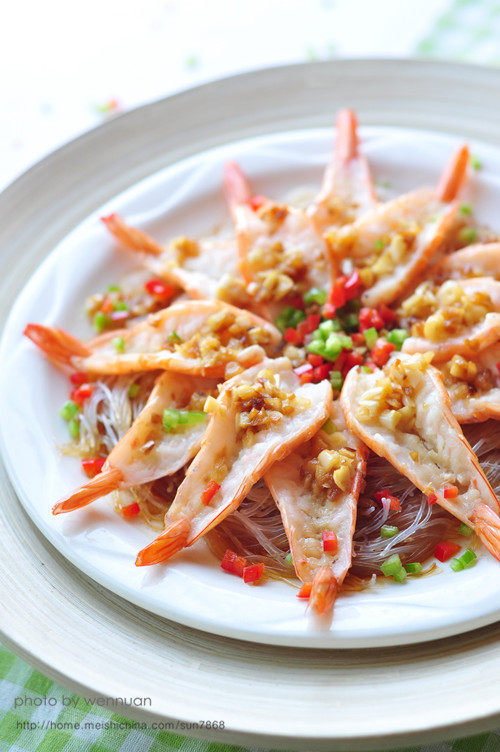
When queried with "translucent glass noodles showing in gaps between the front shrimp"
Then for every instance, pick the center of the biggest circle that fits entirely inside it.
(255, 529)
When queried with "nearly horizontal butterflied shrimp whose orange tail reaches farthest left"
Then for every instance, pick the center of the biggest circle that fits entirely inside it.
(198, 337)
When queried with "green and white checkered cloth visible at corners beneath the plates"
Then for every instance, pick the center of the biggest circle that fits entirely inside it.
(38, 715)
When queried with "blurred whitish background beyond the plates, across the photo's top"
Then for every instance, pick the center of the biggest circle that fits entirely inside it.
(69, 65)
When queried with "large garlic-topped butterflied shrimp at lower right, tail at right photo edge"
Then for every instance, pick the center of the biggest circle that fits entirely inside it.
(403, 413)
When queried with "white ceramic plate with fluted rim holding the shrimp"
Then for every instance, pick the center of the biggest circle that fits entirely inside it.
(192, 589)
